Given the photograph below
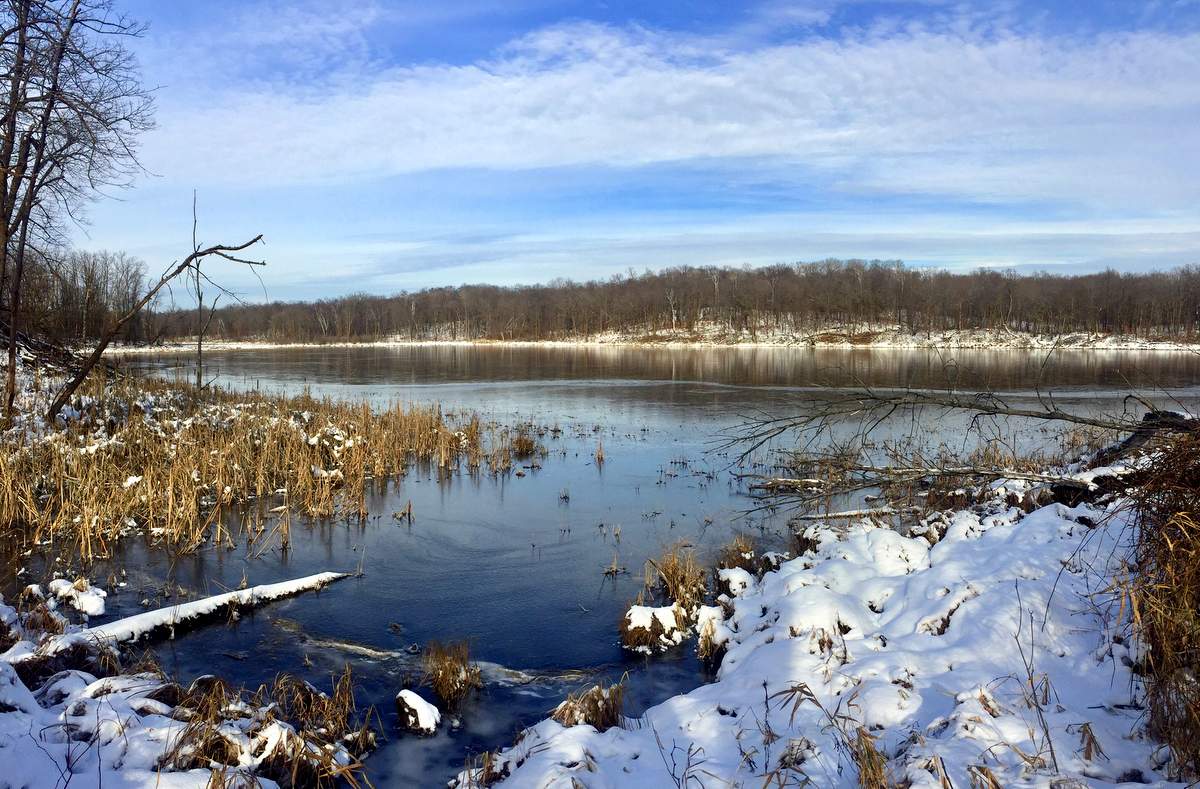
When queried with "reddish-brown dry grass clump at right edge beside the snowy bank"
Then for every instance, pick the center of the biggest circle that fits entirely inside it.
(1165, 599)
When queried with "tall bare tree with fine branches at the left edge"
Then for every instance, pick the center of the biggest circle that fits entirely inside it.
(74, 106)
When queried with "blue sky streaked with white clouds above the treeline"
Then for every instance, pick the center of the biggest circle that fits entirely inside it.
(387, 146)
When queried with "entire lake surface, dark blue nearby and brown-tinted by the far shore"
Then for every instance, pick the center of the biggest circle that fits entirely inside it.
(506, 562)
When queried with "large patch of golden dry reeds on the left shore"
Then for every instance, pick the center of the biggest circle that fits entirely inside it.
(149, 456)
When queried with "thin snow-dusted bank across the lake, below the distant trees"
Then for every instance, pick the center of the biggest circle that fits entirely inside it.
(715, 336)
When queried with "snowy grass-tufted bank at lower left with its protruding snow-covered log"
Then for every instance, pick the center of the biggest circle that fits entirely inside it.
(65, 719)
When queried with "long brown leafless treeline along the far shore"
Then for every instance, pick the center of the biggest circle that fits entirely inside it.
(782, 298)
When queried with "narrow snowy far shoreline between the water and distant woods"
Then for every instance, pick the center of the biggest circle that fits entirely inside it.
(945, 341)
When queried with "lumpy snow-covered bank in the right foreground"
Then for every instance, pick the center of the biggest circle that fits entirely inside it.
(989, 655)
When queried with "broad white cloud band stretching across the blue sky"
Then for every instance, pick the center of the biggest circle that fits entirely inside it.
(959, 112)
